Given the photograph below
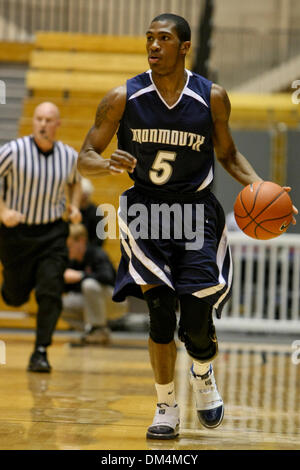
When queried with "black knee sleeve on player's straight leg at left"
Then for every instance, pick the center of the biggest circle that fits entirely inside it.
(161, 302)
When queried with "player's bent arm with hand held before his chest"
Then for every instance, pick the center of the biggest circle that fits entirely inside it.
(109, 113)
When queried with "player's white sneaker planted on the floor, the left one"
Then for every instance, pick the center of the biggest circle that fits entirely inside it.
(165, 423)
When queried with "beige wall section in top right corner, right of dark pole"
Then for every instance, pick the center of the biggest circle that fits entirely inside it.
(250, 38)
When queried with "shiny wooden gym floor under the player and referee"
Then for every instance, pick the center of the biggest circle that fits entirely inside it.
(102, 398)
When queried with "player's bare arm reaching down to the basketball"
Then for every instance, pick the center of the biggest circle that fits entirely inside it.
(226, 152)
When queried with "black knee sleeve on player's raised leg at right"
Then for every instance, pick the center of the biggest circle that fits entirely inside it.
(196, 328)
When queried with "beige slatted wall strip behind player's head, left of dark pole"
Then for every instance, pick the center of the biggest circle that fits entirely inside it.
(20, 19)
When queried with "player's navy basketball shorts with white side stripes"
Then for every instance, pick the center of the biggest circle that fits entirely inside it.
(178, 244)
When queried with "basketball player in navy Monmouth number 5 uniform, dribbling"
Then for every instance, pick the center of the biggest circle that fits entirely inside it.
(169, 122)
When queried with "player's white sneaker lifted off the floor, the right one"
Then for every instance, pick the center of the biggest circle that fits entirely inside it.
(209, 404)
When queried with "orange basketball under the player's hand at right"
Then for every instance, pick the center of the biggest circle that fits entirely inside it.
(263, 210)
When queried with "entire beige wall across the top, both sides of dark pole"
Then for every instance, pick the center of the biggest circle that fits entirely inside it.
(248, 38)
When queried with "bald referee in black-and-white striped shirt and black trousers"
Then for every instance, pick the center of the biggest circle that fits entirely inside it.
(35, 172)
